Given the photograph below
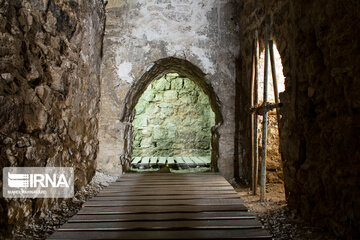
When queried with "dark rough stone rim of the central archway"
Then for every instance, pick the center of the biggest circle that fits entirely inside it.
(157, 69)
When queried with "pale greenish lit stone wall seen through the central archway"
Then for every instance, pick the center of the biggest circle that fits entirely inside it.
(173, 118)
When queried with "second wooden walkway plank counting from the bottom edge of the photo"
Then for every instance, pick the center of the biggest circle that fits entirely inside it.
(162, 225)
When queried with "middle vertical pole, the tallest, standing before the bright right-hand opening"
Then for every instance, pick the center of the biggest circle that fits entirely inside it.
(264, 132)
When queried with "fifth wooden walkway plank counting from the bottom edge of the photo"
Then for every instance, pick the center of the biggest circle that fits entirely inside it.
(178, 202)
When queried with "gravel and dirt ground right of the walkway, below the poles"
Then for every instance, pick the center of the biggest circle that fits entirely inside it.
(277, 218)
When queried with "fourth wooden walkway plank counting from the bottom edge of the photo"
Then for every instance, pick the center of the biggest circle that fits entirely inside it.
(160, 209)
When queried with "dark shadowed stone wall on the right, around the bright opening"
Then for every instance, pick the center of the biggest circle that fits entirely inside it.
(318, 43)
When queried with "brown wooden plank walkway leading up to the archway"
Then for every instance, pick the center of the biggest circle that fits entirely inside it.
(164, 206)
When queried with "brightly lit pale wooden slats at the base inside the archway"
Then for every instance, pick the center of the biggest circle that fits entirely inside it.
(171, 162)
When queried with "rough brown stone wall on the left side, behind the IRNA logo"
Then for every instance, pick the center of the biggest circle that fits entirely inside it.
(50, 54)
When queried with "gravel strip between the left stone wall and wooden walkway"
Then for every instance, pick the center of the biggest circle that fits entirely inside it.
(53, 219)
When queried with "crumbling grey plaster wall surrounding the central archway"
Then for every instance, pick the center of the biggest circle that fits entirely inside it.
(138, 33)
